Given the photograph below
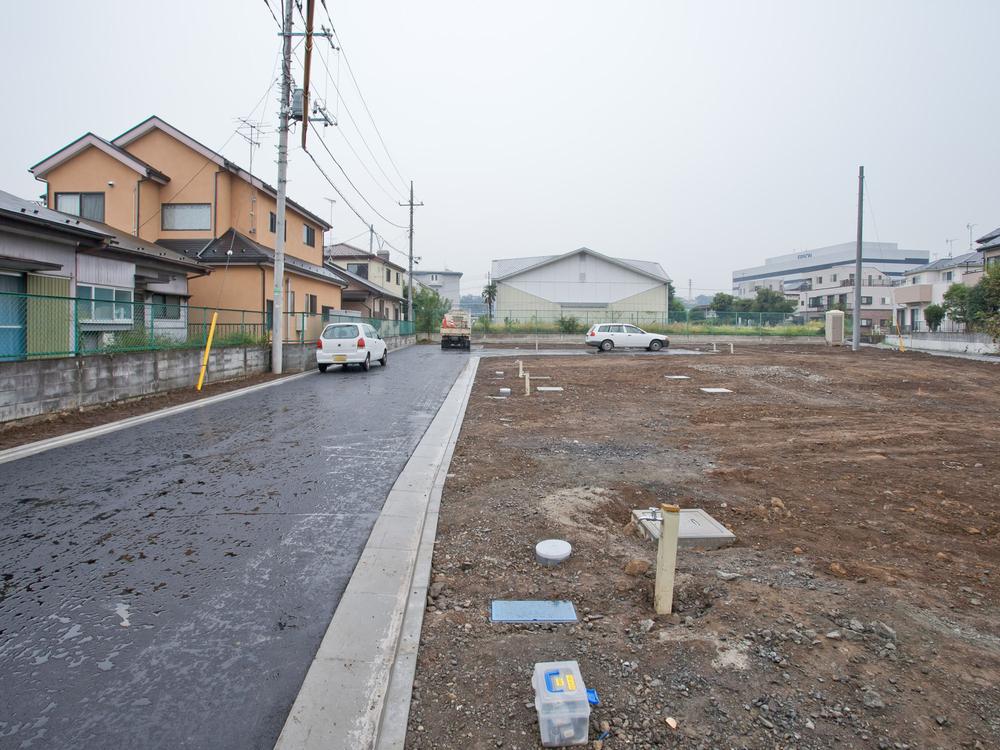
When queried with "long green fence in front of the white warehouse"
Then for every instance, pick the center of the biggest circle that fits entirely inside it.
(696, 322)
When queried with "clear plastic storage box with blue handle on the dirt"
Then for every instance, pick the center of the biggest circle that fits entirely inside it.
(561, 703)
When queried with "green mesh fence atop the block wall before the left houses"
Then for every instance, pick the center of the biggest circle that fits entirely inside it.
(34, 326)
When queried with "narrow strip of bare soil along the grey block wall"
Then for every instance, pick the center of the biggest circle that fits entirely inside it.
(52, 425)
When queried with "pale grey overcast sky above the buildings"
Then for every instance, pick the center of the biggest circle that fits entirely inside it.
(703, 135)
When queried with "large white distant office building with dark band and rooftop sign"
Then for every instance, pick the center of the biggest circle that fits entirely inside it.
(823, 279)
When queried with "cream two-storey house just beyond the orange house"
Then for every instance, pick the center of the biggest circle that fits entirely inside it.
(375, 282)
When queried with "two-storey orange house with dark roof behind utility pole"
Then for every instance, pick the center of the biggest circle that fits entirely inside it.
(162, 185)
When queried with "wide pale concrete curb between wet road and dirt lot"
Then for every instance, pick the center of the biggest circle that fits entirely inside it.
(353, 694)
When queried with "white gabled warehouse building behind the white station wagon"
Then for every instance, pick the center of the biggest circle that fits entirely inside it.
(582, 284)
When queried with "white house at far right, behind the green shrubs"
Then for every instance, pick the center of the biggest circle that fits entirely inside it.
(927, 285)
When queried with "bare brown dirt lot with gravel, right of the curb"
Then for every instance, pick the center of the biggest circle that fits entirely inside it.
(863, 491)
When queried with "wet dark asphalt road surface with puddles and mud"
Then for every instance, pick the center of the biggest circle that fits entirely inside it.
(167, 585)
